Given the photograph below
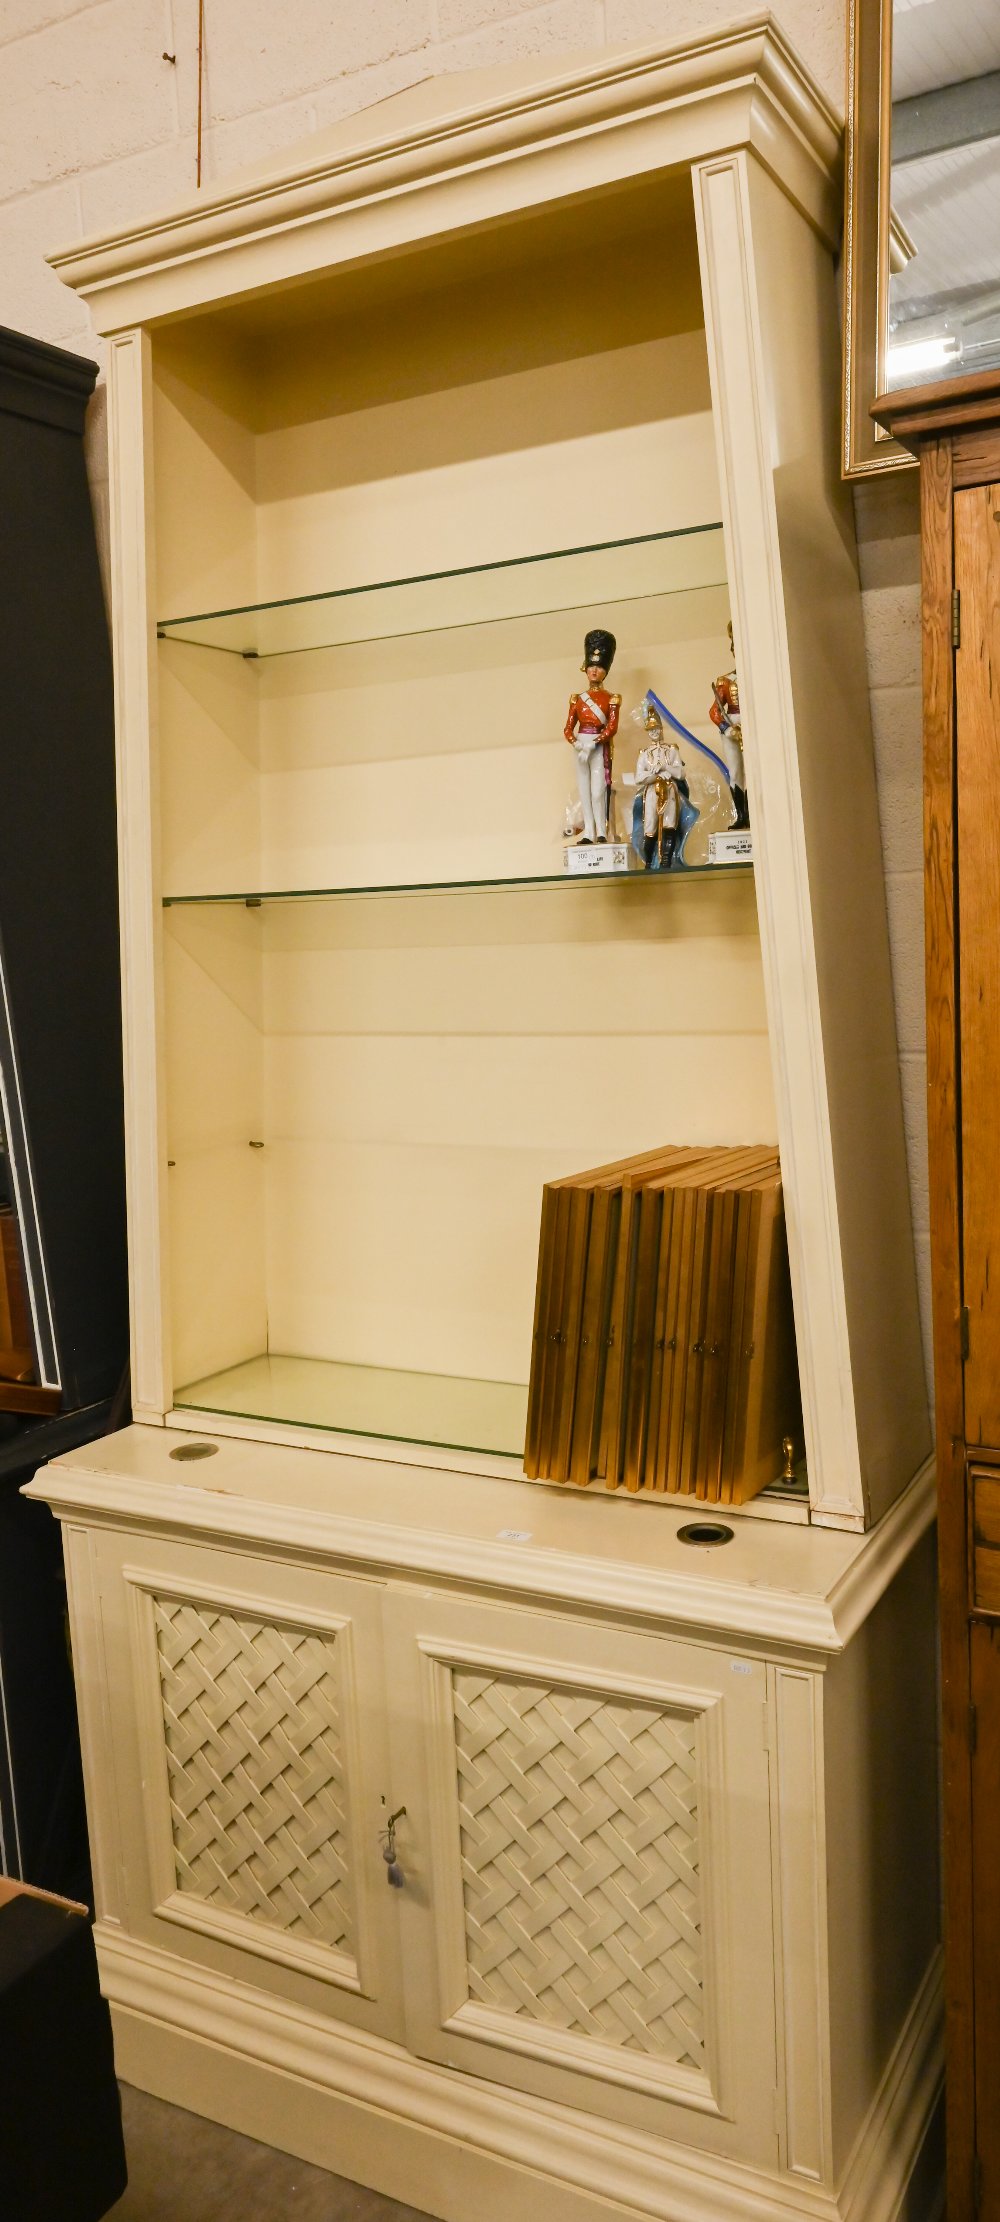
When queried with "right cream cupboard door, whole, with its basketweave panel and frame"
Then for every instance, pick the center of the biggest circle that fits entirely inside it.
(588, 1901)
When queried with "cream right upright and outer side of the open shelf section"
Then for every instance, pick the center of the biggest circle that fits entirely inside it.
(819, 868)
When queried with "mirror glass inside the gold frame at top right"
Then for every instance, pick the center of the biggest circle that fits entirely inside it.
(943, 190)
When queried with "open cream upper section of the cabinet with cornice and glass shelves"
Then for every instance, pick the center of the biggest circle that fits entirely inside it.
(394, 426)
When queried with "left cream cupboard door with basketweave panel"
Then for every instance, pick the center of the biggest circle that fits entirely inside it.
(248, 1741)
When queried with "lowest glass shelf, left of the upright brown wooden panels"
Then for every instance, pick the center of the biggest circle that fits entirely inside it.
(368, 1401)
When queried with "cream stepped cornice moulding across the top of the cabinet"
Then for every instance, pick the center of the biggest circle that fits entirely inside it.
(748, 74)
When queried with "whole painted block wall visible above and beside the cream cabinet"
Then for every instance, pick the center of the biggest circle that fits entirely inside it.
(99, 126)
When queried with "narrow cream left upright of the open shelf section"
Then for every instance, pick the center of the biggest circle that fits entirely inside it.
(139, 845)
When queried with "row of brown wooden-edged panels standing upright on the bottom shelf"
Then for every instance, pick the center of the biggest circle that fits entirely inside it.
(663, 1350)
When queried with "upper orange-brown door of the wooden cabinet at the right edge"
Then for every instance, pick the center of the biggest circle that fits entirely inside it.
(979, 945)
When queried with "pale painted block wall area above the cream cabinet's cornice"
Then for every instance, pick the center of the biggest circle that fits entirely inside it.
(97, 126)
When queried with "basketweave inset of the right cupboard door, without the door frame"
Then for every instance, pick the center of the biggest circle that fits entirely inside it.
(581, 1874)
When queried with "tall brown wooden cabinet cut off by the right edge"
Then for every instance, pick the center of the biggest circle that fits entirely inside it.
(954, 430)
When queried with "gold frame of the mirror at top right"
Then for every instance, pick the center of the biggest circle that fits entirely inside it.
(870, 237)
